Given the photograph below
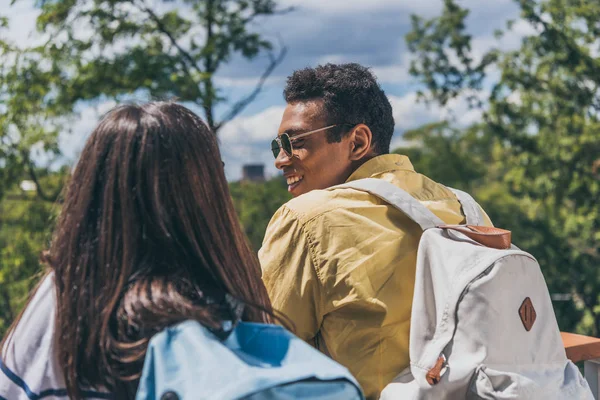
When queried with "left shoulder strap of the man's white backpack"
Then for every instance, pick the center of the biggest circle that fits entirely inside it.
(398, 198)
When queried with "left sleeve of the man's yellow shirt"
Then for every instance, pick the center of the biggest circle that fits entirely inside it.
(289, 274)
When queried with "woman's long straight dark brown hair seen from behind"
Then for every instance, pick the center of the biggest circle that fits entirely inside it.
(147, 234)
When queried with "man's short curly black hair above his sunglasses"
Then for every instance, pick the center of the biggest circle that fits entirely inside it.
(350, 94)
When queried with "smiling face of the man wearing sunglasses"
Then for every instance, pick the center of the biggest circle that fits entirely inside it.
(315, 163)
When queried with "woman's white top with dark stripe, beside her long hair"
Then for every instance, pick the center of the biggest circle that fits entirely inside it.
(28, 366)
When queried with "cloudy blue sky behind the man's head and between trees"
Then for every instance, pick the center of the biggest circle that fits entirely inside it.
(318, 31)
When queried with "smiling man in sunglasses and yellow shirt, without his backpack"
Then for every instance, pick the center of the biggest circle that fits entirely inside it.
(341, 263)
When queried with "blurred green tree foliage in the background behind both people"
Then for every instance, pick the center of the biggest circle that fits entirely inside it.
(532, 160)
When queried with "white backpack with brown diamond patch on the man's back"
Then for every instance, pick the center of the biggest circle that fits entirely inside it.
(482, 322)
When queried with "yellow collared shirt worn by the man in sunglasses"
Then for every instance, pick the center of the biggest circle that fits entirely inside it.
(341, 265)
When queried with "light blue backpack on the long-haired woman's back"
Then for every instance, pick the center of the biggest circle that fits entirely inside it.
(255, 362)
